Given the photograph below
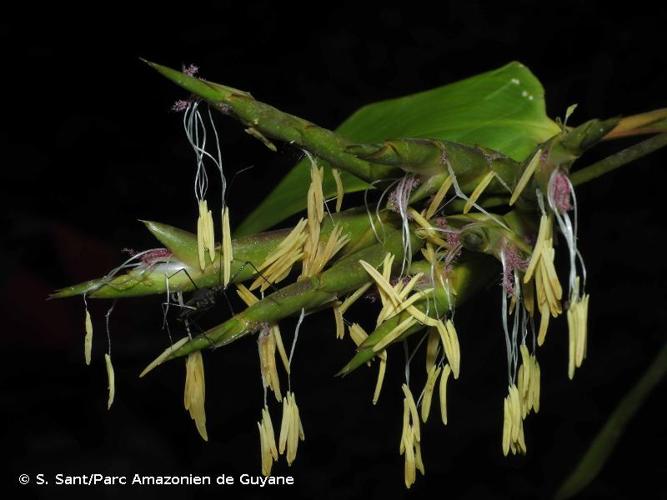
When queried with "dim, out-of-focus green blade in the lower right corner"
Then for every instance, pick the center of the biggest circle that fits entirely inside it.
(605, 442)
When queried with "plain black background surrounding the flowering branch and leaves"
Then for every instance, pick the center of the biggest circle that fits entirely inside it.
(90, 147)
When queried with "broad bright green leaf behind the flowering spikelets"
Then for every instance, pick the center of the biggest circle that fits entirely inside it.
(502, 109)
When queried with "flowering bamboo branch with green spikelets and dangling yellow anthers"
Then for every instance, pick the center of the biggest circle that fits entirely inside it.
(451, 218)
